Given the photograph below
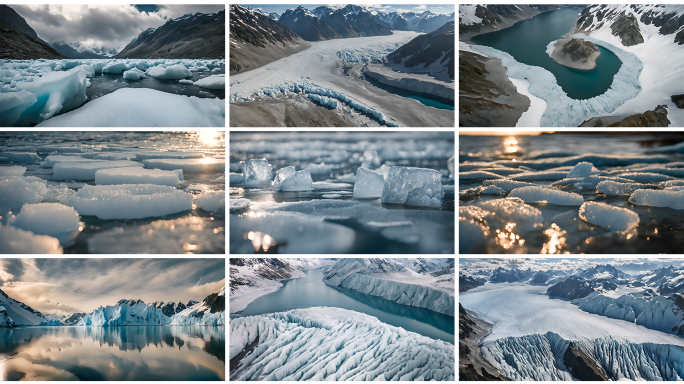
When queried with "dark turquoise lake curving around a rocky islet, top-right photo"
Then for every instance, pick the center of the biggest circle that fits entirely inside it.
(526, 41)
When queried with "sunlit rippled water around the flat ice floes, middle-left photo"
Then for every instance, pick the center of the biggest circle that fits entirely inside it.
(181, 227)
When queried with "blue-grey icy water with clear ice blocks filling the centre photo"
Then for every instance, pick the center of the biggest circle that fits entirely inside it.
(335, 212)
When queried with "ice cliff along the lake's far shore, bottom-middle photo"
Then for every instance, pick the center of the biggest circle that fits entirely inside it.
(365, 276)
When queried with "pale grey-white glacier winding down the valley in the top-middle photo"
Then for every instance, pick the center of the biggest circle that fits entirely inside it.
(319, 71)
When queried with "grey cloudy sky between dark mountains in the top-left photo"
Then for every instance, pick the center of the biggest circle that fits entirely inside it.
(95, 25)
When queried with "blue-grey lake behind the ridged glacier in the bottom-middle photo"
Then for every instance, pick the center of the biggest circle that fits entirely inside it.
(311, 291)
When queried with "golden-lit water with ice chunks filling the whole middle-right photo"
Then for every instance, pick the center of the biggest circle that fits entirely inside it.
(574, 193)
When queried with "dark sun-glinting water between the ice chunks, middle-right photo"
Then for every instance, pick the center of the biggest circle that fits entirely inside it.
(660, 229)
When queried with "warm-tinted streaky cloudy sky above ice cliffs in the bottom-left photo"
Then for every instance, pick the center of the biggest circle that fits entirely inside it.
(65, 286)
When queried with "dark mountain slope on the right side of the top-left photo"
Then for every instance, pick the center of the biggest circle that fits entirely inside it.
(198, 36)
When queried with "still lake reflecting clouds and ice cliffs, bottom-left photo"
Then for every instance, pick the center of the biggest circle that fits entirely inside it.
(113, 353)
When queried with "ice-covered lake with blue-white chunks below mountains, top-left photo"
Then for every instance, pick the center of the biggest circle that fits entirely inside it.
(55, 93)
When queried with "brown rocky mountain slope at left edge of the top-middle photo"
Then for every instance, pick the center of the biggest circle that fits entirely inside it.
(256, 39)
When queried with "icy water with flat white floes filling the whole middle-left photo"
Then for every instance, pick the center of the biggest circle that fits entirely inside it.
(112, 192)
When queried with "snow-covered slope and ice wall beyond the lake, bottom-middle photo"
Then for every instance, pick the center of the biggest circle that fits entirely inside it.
(392, 281)
